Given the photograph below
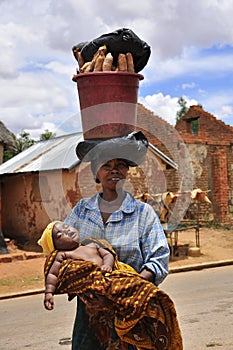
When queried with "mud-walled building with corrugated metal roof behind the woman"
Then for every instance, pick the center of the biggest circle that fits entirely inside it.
(45, 181)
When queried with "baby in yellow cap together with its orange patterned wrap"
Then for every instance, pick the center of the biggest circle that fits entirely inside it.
(143, 314)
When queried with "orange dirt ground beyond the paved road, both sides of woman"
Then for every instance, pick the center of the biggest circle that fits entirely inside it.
(23, 275)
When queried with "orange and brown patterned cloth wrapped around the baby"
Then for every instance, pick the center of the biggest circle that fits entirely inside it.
(144, 315)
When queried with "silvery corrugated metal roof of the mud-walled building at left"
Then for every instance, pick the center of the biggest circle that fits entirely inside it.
(52, 154)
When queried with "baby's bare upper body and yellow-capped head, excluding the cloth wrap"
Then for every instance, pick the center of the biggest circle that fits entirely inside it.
(66, 239)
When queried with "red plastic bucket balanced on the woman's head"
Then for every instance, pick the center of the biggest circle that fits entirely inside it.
(108, 103)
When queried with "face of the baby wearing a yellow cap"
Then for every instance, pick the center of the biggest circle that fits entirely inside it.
(65, 237)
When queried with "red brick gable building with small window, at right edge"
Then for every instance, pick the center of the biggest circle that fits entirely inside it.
(210, 144)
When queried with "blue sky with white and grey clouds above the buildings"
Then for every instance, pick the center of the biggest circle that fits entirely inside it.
(191, 56)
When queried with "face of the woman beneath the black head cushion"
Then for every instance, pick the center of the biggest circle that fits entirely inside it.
(111, 173)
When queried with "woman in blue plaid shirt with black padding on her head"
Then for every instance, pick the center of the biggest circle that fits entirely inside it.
(131, 227)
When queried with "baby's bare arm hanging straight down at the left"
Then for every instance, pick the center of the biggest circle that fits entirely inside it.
(51, 280)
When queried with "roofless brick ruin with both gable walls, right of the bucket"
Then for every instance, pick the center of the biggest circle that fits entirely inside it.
(210, 149)
